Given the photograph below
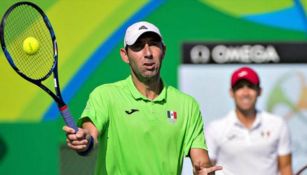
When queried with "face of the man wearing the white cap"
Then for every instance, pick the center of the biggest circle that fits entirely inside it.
(145, 56)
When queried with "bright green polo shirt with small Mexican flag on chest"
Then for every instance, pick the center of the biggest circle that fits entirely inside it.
(142, 136)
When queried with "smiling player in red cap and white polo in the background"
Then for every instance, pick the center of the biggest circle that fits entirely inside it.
(249, 141)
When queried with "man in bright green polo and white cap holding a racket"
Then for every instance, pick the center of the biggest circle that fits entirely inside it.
(142, 125)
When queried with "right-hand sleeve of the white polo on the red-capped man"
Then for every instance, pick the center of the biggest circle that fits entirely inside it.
(284, 144)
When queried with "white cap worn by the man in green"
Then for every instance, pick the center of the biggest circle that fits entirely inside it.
(134, 31)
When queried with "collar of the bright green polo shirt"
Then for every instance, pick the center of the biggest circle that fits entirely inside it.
(137, 95)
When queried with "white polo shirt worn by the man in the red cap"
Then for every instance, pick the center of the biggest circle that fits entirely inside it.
(243, 151)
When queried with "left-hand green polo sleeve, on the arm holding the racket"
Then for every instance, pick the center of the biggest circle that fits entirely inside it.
(96, 109)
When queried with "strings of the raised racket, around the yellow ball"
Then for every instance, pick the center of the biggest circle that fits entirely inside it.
(23, 22)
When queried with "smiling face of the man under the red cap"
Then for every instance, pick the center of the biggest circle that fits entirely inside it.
(245, 95)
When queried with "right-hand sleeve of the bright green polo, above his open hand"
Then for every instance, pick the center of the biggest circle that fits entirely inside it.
(195, 137)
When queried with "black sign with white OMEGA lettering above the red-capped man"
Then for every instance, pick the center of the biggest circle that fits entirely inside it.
(205, 53)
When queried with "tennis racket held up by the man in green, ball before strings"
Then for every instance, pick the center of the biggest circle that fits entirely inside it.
(30, 46)
